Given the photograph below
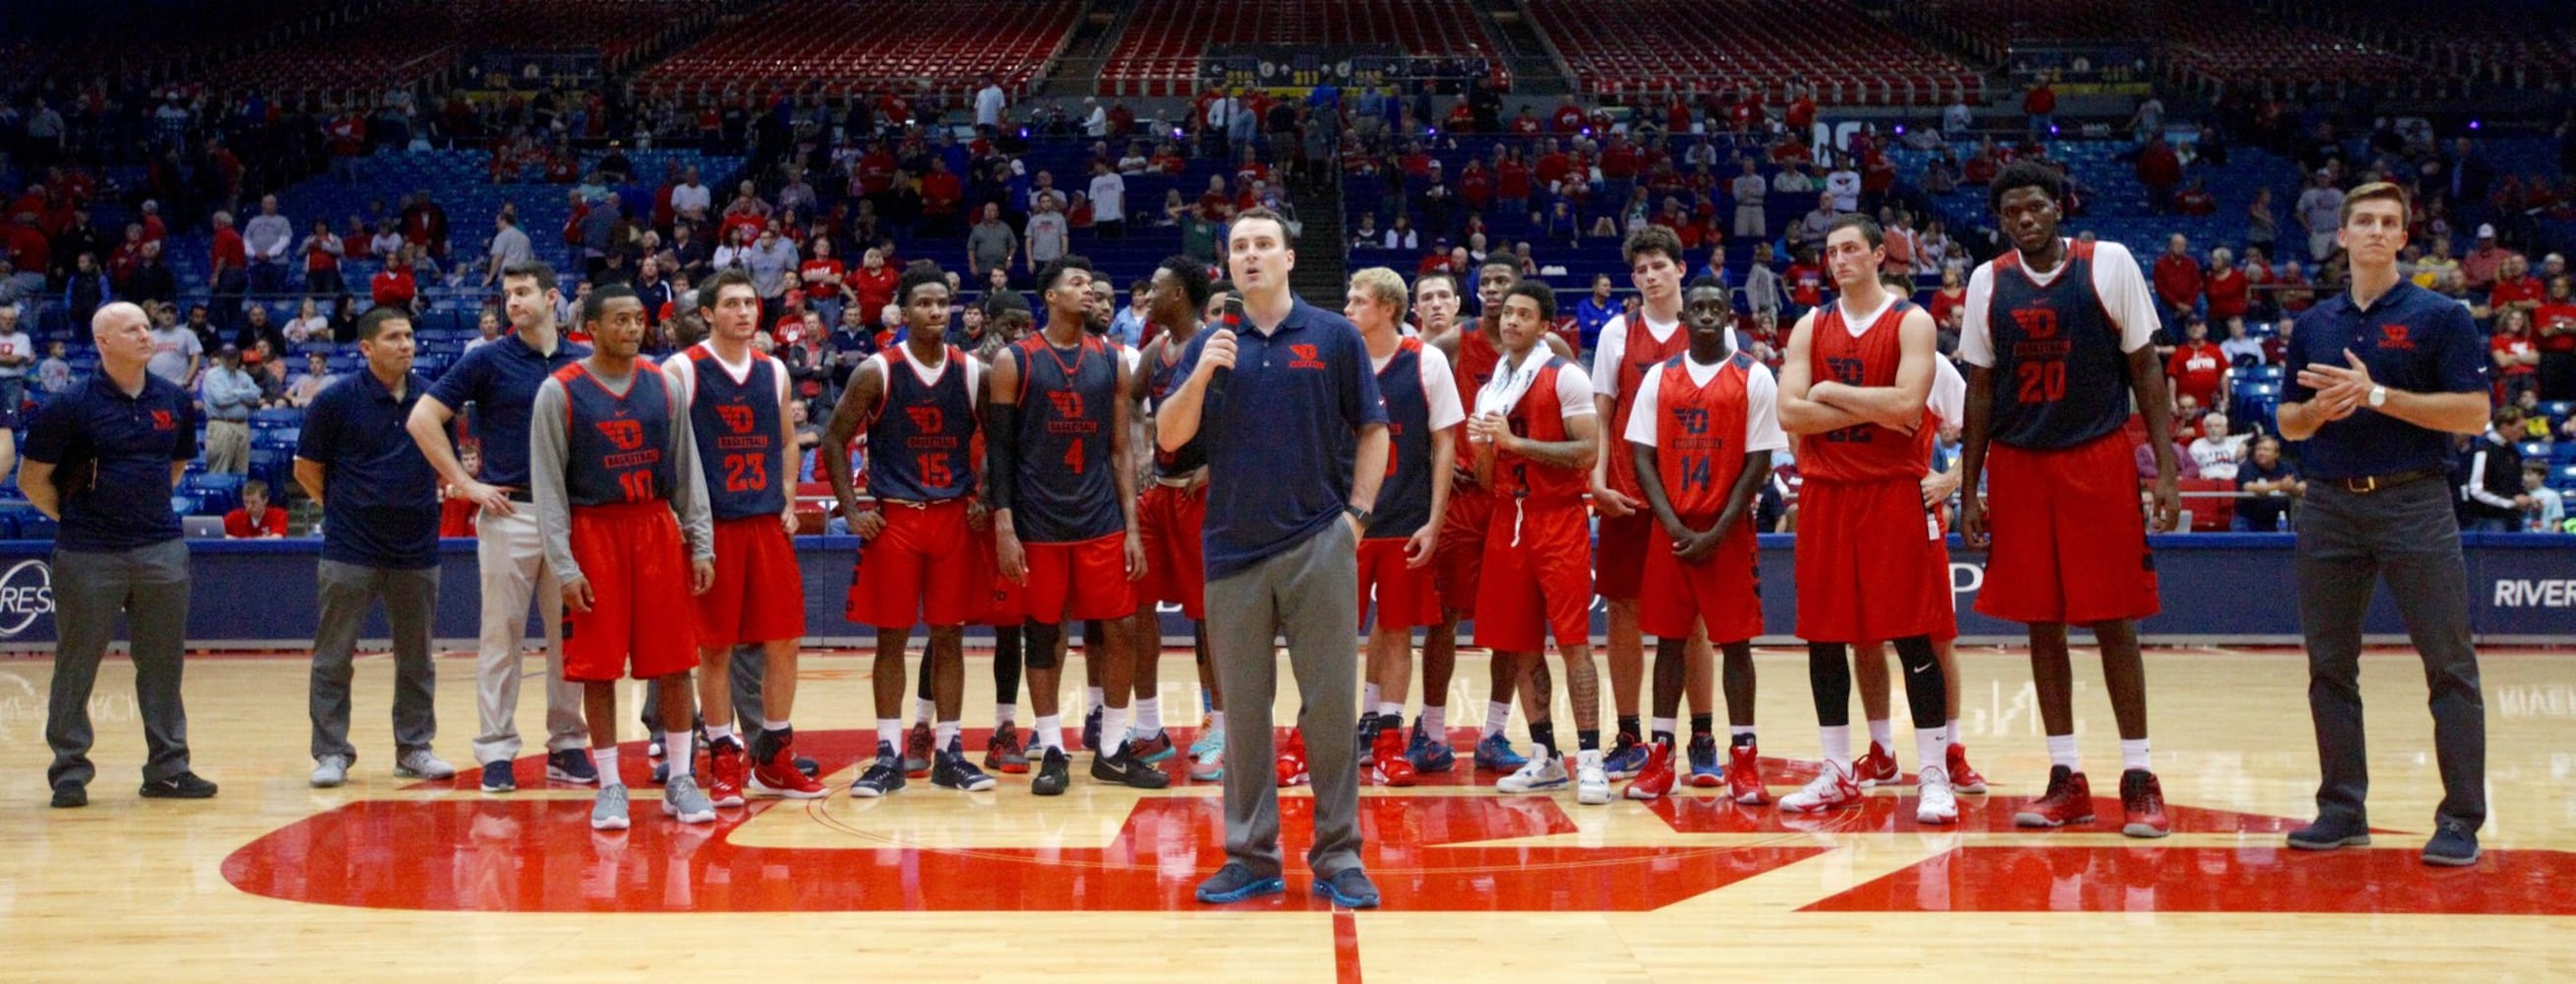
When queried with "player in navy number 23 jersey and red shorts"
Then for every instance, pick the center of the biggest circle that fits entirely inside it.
(738, 411)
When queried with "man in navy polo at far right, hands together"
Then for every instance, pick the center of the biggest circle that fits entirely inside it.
(2382, 380)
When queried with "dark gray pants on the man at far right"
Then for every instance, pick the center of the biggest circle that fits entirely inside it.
(2410, 537)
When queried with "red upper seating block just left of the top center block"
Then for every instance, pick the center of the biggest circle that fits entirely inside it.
(949, 45)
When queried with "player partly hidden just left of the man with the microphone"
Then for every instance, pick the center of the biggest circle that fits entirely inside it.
(1171, 516)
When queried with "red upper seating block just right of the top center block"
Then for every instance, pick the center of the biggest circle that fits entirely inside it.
(1704, 45)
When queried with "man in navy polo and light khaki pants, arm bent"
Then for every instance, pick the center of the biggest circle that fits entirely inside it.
(501, 383)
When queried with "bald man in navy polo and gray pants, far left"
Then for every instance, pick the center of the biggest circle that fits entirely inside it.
(104, 457)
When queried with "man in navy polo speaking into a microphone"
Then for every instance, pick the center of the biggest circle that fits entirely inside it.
(1297, 447)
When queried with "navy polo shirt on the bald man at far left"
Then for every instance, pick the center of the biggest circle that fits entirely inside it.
(112, 460)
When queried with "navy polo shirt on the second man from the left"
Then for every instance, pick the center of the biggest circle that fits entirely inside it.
(380, 496)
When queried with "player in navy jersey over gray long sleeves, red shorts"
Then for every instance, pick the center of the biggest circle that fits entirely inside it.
(612, 462)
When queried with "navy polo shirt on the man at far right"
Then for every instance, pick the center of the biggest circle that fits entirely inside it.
(2415, 341)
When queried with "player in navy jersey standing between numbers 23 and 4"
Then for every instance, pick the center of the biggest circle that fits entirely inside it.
(916, 406)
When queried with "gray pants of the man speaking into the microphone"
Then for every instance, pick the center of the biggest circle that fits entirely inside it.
(1312, 596)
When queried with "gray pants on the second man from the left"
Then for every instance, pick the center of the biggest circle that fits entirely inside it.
(408, 596)
